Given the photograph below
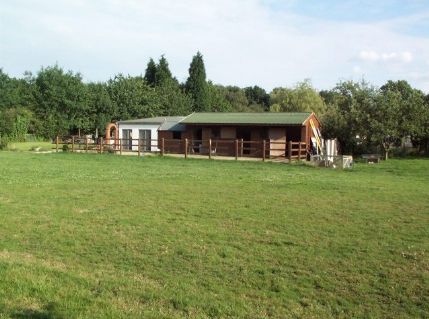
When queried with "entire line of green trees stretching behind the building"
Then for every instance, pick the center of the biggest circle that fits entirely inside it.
(57, 102)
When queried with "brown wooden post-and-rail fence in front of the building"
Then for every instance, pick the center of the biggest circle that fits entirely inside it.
(238, 148)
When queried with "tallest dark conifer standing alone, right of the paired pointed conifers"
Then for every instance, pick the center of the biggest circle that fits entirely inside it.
(196, 85)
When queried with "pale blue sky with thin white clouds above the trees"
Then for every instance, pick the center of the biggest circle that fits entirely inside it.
(269, 43)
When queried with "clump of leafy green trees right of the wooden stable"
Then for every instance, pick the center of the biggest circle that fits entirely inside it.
(363, 117)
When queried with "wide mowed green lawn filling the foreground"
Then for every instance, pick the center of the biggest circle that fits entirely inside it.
(103, 236)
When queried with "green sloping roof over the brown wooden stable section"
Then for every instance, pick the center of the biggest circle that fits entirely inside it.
(272, 118)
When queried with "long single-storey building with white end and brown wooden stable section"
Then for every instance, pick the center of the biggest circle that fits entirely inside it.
(221, 130)
